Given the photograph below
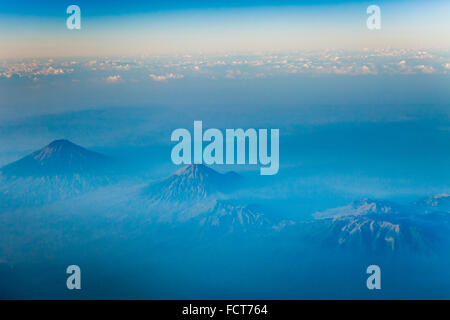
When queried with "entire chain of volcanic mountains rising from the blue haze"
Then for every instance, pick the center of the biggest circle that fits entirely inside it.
(201, 197)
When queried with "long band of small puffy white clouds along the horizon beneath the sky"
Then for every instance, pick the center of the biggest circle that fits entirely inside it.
(389, 61)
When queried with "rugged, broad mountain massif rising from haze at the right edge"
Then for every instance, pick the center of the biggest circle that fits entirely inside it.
(383, 226)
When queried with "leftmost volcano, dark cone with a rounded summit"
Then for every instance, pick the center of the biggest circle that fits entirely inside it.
(59, 170)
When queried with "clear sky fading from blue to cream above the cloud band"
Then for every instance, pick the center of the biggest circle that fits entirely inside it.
(38, 29)
